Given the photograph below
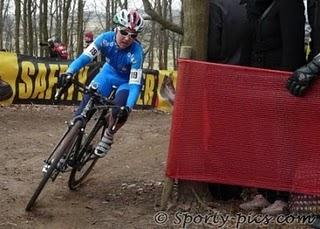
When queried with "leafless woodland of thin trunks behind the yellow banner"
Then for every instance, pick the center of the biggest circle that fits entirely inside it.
(24, 24)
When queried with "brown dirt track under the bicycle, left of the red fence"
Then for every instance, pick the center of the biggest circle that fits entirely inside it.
(123, 191)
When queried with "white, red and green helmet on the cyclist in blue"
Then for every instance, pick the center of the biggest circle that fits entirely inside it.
(129, 19)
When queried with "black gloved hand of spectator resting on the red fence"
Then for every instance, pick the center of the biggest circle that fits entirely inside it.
(303, 77)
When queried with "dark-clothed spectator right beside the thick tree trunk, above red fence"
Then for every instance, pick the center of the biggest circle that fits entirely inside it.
(226, 32)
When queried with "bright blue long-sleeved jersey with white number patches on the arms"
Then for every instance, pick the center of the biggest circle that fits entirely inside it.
(123, 66)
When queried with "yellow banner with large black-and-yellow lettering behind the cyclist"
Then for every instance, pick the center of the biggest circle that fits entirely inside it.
(26, 79)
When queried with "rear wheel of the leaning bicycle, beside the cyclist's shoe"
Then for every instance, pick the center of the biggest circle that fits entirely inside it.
(86, 160)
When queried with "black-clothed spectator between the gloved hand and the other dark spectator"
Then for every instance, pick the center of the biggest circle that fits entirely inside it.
(276, 39)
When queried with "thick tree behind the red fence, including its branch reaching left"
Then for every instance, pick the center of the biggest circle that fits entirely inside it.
(195, 26)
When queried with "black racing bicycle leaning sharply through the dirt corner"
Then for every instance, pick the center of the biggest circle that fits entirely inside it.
(75, 150)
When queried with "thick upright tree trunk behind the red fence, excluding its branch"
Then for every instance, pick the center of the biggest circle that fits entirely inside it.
(195, 24)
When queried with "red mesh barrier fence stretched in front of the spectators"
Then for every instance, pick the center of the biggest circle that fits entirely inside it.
(240, 126)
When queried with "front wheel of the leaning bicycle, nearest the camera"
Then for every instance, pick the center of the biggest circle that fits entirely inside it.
(67, 144)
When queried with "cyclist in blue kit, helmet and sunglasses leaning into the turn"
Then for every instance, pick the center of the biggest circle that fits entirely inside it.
(123, 68)
